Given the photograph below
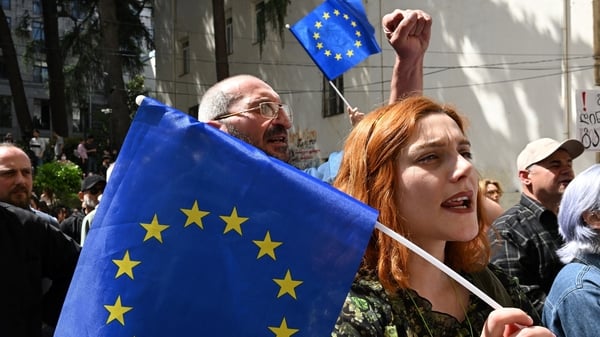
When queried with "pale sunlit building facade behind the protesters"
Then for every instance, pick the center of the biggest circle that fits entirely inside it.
(511, 67)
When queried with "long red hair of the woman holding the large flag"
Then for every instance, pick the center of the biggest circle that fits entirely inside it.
(368, 173)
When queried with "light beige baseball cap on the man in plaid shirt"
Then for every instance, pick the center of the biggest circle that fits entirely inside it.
(543, 148)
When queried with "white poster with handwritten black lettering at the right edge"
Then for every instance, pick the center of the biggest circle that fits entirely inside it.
(587, 103)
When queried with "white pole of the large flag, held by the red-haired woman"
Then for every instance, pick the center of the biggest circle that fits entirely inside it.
(437, 263)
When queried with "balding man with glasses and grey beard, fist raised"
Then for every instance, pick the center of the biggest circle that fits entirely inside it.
(248, 108)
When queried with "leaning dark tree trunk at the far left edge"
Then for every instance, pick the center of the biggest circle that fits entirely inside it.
(14, 76)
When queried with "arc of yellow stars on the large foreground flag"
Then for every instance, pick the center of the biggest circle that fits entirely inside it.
(233, 223)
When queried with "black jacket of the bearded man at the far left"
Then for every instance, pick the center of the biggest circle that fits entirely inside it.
(32, 250)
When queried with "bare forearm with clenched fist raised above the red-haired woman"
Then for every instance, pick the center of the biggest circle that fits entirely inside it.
(408, 32)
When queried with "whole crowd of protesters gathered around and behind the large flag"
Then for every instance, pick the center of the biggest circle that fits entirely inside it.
(411, 160)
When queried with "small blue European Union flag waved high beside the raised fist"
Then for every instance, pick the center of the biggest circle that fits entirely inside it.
(337, 36)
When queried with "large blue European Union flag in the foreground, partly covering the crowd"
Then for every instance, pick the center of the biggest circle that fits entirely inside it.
(201, 234)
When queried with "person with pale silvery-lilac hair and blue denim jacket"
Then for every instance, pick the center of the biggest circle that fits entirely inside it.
(572, 303)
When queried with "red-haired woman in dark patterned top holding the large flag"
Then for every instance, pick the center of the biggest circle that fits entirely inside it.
(411, 160)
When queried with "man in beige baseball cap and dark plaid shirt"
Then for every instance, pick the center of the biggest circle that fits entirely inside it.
(525, 238)
